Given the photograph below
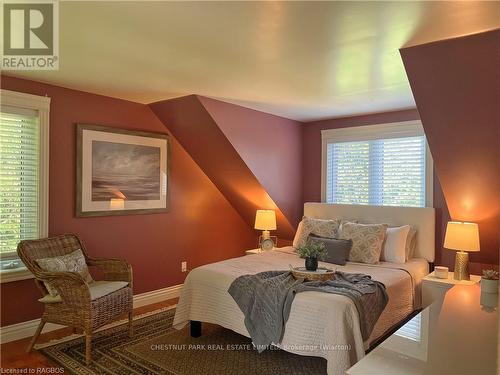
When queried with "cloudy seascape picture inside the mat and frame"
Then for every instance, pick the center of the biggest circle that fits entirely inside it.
(125, 171)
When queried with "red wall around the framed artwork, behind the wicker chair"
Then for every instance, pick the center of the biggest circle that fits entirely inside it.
(154, 244)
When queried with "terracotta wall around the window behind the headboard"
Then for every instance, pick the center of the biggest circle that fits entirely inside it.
(312, 165)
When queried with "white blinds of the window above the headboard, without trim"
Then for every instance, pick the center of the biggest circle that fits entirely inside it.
(388, 172)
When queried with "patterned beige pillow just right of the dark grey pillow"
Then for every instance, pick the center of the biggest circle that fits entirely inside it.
(366, 239)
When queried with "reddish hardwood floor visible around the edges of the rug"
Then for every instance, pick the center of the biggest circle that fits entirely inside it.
(13, 354)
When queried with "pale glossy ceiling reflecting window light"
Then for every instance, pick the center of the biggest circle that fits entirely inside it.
(300, 60)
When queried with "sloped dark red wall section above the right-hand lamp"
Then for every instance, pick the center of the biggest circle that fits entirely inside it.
(456, 85)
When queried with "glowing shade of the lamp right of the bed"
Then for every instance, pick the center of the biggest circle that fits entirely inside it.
(462, 236)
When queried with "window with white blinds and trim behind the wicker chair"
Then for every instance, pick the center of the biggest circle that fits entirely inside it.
(23, 175)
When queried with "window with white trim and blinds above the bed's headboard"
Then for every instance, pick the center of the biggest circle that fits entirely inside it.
(384, 165)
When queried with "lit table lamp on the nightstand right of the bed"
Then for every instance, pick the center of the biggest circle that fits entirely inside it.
(462, 237)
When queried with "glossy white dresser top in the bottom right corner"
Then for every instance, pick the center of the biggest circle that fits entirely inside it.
(455, 335)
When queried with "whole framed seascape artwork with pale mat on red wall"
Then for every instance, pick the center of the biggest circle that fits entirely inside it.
(121, 172)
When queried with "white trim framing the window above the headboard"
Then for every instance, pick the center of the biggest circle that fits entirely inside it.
(378, 131)
